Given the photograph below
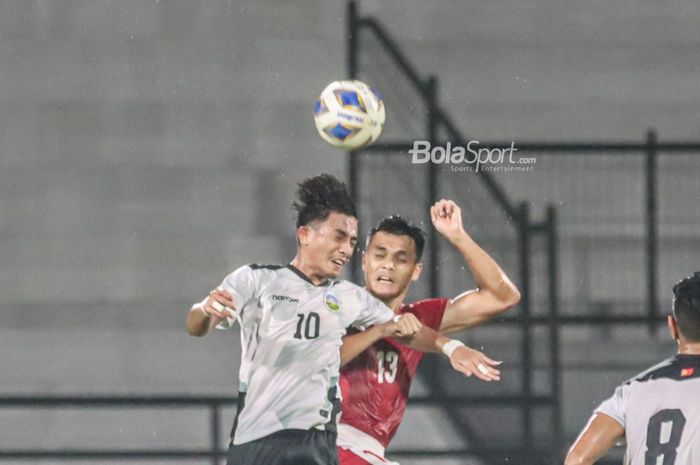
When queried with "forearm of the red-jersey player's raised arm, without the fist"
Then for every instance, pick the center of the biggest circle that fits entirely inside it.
(488, 275)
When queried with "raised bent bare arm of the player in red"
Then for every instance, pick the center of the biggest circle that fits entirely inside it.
(495, 292)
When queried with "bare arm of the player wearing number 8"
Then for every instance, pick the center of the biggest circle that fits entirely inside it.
(601, 433)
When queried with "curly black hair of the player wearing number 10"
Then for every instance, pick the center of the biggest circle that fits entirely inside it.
(317, 197)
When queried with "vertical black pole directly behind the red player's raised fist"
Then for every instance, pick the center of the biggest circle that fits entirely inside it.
(431, 88)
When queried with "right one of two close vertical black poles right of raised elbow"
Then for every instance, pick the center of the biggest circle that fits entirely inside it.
(554, 345)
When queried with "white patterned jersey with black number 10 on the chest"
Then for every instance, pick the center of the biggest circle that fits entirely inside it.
(291, 333)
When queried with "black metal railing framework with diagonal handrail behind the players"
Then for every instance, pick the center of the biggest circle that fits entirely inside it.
(526, 230)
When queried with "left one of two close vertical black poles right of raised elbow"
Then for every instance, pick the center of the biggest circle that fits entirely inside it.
(526, 348)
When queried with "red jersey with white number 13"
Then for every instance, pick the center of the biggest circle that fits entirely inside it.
(375, 385)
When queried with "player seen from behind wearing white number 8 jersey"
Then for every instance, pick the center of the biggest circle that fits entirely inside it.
(658, 411)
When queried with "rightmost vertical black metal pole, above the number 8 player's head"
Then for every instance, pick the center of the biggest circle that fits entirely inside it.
(652, 232)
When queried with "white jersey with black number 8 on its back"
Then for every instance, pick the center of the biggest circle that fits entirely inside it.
(660, 411)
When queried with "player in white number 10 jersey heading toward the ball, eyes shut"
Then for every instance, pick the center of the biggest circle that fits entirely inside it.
(292, 321)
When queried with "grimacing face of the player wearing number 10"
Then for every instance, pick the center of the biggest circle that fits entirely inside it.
(330, 244)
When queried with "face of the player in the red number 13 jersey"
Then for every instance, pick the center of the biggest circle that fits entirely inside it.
(390, 264)
